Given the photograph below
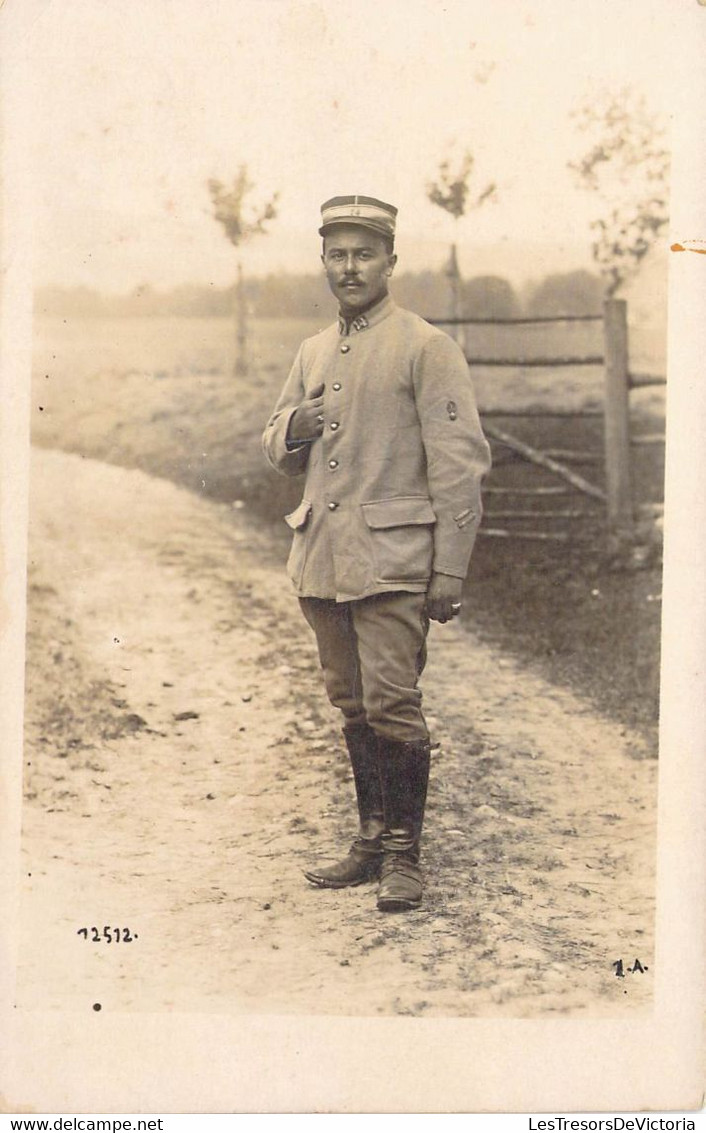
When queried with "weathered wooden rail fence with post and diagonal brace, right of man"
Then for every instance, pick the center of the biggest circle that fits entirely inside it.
(617, 499)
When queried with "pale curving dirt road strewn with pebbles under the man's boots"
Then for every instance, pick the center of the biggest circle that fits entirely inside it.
(183, 768)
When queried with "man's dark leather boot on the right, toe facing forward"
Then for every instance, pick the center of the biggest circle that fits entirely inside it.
(405, 773)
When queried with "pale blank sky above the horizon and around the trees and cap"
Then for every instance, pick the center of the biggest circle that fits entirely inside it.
(133, 107)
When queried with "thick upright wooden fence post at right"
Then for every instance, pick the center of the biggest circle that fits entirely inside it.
(617, 425)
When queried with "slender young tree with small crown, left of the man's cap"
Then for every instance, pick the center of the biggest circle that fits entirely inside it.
(242, 222)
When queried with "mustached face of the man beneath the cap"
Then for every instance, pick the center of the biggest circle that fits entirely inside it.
(359, 267)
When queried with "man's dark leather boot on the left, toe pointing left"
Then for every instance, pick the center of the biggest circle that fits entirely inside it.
(364, 859)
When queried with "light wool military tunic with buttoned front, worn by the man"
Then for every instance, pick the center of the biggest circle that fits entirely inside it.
(393, 489)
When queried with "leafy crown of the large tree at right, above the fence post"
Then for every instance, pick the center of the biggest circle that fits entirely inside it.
(627, 167)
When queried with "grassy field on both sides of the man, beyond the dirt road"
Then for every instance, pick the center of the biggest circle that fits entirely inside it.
(160, 395)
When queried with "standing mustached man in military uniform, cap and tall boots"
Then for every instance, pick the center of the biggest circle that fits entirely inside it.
(379, 414)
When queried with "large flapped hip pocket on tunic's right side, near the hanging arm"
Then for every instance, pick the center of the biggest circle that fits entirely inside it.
(401, 532)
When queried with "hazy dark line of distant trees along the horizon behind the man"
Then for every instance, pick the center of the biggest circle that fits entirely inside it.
(301, 296)
